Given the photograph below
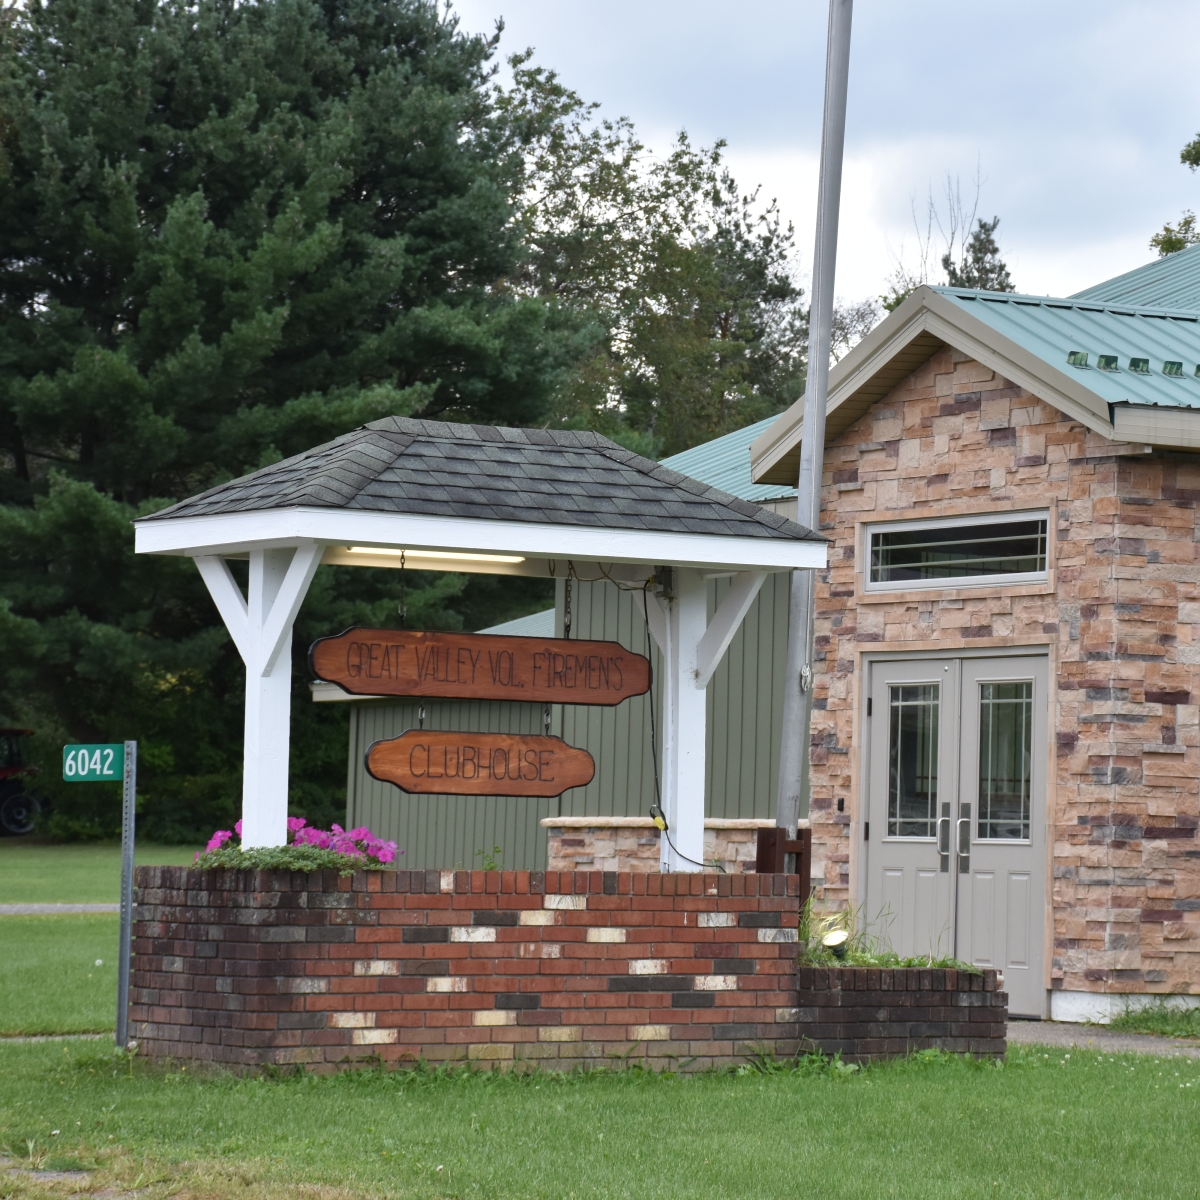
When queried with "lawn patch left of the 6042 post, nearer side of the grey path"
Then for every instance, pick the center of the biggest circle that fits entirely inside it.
(50, 982)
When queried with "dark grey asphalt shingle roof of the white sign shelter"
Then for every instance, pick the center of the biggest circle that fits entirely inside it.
(543, 477)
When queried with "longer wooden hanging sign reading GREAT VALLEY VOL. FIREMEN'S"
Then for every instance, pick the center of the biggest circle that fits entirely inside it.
(479, 667)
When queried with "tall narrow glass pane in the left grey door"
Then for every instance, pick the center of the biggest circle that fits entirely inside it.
(913, 761)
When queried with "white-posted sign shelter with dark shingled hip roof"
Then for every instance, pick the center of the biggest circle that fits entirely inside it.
(440, 497)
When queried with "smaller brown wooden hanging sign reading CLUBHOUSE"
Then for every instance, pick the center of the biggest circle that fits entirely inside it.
(441, 764)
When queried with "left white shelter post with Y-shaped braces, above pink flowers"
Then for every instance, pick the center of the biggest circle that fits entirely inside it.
(262, 631)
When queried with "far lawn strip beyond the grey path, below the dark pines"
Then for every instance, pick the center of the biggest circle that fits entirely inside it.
(91, 873)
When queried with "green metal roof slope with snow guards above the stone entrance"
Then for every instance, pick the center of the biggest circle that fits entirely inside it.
(1054, 329)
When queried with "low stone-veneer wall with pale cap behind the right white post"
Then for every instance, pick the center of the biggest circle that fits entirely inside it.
(632, 844)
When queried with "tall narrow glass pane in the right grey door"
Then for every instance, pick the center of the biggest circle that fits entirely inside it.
(1006, 754)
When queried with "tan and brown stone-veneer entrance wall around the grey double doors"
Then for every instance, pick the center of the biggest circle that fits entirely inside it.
(1121, 616)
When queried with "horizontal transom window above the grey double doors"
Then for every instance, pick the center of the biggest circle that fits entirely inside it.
(1012, 548)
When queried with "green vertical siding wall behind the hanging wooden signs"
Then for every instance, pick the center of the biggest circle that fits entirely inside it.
(743, 741)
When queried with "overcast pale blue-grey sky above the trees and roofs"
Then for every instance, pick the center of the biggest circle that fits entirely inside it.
(1076, 112)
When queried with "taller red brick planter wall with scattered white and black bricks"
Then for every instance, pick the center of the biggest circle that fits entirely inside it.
(499, 967)
